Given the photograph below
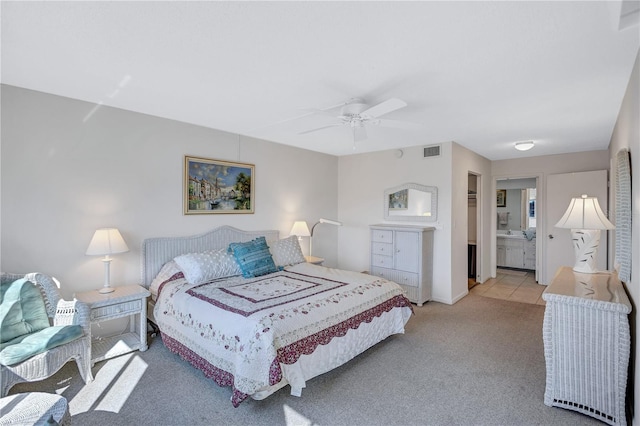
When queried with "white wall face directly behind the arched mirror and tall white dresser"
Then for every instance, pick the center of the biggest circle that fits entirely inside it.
(362, 182)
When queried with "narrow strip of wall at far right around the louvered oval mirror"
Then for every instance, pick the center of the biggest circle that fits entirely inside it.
(626, 134)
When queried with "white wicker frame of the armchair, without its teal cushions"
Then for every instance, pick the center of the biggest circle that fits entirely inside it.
(60, 312)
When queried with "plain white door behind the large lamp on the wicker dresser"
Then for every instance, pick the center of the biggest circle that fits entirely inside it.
(561, 188)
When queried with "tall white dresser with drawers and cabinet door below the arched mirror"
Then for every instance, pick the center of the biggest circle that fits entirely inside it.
(404, 254)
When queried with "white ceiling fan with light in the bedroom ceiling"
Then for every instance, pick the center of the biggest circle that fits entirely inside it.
(357, 115)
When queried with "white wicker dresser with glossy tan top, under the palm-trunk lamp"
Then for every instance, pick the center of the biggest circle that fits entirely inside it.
(587, 344)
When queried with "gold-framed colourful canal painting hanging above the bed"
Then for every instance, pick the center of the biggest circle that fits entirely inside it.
(217, 186)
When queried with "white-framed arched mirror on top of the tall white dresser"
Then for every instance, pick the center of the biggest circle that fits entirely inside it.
(411, 202)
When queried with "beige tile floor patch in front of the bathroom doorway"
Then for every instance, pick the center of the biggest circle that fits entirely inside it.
(515, 285)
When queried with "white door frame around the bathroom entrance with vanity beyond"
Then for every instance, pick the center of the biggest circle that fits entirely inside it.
(540, 220)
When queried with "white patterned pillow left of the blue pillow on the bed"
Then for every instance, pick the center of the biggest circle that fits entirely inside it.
(203, 267)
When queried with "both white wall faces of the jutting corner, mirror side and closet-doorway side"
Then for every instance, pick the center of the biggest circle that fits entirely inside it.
(363, 180)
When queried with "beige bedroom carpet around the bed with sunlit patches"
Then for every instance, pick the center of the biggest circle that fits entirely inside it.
(478, 362)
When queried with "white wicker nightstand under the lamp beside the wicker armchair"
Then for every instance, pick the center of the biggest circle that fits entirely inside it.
(129, 300)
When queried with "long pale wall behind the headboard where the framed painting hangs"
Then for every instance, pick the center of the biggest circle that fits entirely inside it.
(64, 176)
